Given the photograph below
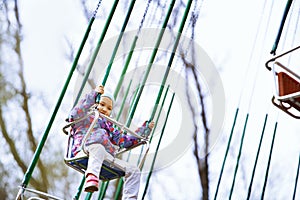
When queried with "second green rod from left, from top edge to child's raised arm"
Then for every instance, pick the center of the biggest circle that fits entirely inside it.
(96, 51)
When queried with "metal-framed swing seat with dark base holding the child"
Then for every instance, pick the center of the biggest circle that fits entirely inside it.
(110, 169)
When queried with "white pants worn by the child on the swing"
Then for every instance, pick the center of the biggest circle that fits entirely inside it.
(97, 154)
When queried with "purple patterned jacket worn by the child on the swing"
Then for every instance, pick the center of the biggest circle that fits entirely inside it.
(103, 131)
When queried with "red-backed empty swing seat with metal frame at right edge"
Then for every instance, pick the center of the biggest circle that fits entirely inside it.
(288, 95)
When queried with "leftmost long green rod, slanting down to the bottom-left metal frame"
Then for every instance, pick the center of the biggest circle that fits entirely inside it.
(37, 153)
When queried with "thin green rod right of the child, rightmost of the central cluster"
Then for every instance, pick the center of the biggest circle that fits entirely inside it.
(157, 148)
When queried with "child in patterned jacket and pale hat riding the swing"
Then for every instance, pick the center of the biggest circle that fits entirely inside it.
(103, 141)
